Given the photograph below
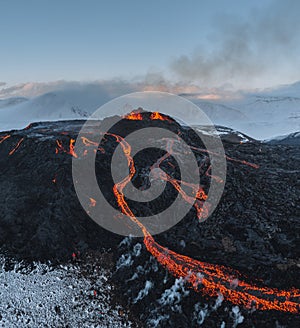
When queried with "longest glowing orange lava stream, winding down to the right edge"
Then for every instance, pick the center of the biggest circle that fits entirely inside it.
(208, 278)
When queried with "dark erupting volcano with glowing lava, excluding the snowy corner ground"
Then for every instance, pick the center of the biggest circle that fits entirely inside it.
(253, 231)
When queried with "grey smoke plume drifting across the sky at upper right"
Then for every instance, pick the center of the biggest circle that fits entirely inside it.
(263, 49)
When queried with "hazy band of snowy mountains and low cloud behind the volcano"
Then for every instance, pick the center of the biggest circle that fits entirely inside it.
(261, 115)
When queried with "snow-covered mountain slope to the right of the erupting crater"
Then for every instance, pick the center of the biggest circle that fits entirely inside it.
(261, 115)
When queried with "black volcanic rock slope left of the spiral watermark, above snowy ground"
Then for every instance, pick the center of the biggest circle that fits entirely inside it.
(41, 219)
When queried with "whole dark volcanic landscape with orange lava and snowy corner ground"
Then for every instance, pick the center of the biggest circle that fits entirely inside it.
(240, 267)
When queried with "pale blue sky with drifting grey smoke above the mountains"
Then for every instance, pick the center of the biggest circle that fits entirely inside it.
(235, 44)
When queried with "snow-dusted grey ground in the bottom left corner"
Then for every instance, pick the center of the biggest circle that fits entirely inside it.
(46, 296)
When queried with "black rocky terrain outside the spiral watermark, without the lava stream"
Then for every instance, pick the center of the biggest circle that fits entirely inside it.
(255, 228)
